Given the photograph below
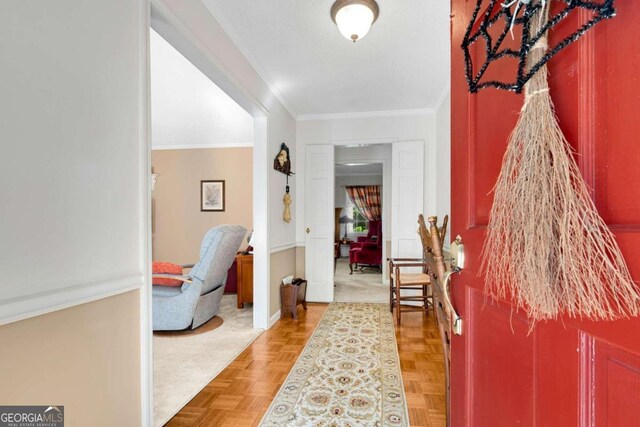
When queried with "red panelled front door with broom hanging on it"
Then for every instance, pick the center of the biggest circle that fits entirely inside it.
(566, 372)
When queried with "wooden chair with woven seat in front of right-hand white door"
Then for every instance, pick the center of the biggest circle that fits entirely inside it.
(408, 285)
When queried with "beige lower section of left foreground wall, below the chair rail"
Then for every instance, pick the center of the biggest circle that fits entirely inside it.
(86, 358)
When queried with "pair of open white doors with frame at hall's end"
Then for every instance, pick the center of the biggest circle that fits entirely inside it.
(403, 173)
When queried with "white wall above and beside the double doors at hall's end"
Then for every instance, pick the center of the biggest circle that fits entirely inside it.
(375, 131)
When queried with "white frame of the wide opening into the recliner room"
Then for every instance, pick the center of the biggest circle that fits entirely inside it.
(170, 27)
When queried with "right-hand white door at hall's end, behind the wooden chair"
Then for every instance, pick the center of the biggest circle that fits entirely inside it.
(407, 195)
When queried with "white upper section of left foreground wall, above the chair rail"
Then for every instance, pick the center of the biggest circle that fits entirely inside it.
(73, 149)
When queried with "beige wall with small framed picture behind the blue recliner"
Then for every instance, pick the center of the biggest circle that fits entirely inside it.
(178, 223)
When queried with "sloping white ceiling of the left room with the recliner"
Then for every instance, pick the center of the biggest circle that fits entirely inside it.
(187, 109)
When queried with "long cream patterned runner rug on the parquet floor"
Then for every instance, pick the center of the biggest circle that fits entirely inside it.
(347, 375)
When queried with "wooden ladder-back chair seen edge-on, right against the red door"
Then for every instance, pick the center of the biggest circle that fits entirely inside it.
(444, 315)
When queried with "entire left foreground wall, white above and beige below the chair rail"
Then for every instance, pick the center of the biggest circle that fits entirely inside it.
(74, 186)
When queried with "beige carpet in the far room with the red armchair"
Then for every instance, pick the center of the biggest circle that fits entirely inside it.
(365, 286)
